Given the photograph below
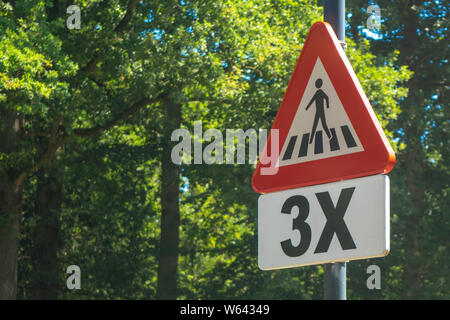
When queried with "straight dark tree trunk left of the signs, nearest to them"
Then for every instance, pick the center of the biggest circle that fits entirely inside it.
(170, 216)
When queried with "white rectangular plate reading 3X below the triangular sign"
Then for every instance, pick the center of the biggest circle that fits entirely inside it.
(333, 222)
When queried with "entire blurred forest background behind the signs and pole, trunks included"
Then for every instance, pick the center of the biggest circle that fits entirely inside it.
(89, 98)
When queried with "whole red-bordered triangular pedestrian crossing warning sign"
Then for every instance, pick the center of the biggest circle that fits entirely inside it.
(327, 130)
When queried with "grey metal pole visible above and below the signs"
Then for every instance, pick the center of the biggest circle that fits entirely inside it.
(335, 287)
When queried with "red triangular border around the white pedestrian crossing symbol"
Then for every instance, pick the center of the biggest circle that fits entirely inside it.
(377, 157)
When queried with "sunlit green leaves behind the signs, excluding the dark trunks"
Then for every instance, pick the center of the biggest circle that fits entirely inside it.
(228, 64)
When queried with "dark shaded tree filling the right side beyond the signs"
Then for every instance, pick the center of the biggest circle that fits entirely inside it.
(417, 32)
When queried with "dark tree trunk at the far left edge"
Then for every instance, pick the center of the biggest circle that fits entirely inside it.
(10, 205)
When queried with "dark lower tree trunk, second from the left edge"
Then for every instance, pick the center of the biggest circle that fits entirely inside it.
(46, 243)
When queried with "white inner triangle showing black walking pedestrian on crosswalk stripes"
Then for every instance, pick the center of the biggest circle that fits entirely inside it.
(321, 128)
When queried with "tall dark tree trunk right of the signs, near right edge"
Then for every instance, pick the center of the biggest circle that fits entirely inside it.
(414, 154)
